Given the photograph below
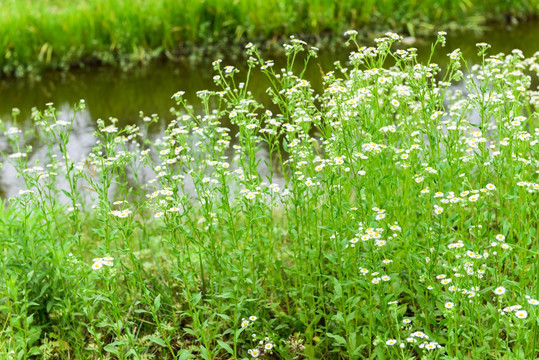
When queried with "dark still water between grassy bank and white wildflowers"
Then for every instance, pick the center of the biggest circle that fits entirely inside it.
(110, 92)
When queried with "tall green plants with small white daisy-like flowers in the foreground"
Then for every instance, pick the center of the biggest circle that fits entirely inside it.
(391, 216)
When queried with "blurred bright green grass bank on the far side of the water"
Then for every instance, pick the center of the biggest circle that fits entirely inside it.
(61, 33)
